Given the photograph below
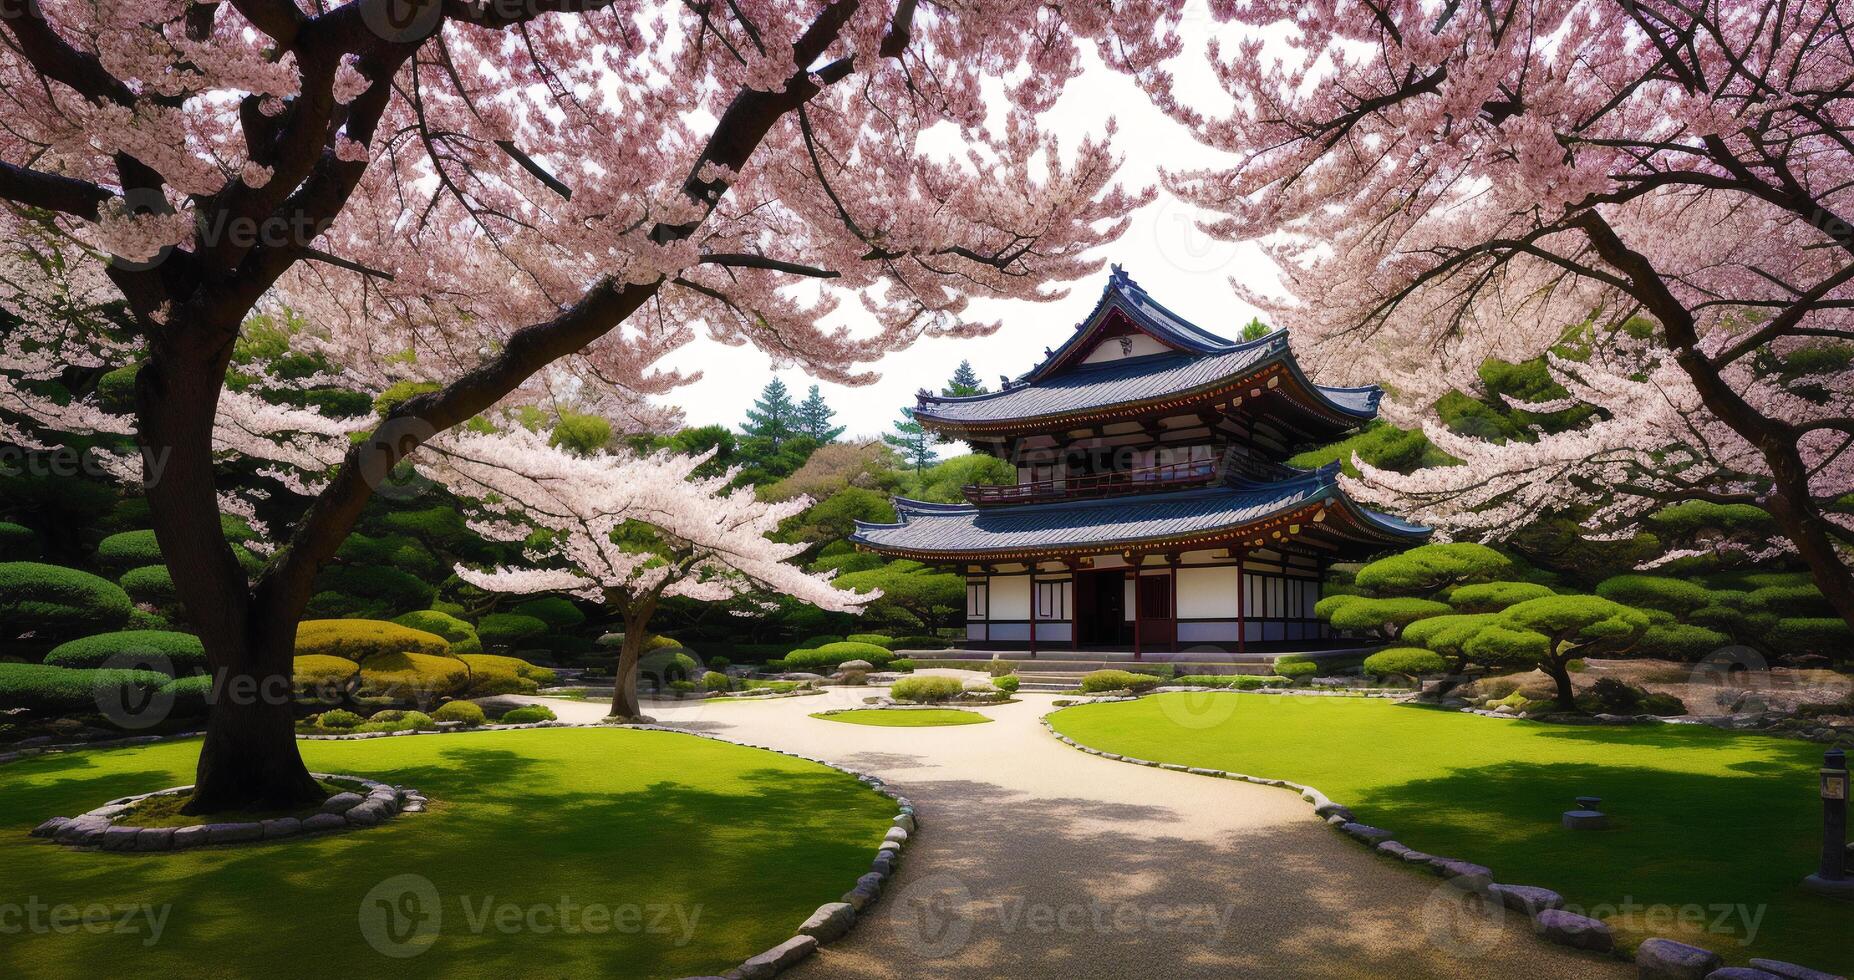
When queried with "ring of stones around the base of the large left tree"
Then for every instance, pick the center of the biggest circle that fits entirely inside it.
(107, 831)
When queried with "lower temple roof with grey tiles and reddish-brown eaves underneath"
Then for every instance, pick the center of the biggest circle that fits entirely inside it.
(1310, 509)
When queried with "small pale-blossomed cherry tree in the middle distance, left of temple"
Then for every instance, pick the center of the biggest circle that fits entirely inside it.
(624, 533)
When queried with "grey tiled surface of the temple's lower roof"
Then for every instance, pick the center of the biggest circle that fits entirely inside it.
(1126, 521)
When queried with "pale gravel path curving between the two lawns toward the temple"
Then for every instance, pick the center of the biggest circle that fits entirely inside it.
(1039, 861)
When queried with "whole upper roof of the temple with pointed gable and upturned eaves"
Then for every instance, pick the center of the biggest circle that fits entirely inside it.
(1176, 362)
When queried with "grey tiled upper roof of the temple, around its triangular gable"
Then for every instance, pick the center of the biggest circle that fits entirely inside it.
(1197, 362)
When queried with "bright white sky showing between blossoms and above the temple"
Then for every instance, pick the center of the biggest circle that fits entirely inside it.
(1162, 251)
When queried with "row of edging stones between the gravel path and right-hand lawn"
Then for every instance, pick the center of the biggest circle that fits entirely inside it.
(1658, 959)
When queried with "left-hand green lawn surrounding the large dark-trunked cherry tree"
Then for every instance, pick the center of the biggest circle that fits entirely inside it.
(670, 857)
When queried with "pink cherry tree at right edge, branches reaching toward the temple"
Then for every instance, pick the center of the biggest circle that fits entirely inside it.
(1655, 192)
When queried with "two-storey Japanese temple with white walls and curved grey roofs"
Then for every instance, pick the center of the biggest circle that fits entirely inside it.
(1152, 507)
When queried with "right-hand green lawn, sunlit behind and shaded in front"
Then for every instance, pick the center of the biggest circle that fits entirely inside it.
(1705, 823)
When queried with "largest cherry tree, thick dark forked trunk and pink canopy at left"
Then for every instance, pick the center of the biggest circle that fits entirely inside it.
(511, 203)
